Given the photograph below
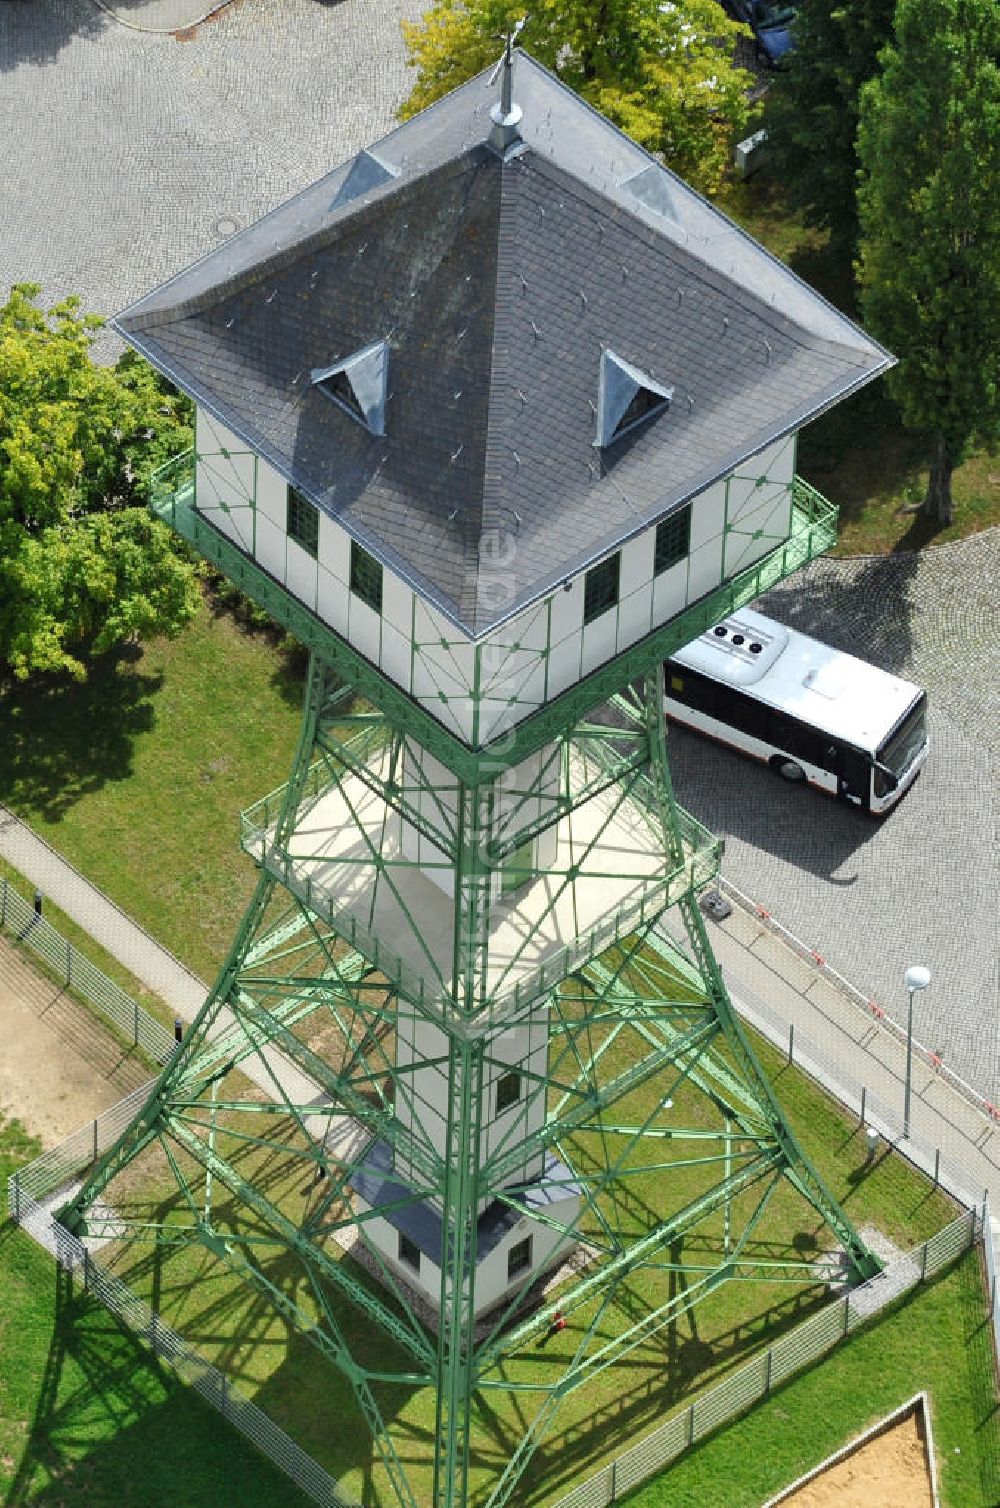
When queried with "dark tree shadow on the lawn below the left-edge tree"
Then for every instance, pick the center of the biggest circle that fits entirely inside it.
(66, 740)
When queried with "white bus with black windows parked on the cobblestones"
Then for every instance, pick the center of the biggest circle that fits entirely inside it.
(811, 713)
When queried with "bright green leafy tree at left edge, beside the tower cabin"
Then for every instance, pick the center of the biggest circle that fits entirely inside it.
(84, 566)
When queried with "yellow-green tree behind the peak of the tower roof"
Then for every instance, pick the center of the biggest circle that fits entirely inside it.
(661, 70)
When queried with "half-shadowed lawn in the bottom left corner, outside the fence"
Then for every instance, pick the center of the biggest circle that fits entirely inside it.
(88, 1420)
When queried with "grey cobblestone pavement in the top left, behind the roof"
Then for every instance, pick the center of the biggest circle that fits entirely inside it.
(130, 155)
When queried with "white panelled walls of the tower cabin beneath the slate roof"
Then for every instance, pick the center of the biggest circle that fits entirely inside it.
(539, 654)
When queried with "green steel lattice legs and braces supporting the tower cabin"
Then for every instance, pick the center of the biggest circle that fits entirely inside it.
(625, 1028)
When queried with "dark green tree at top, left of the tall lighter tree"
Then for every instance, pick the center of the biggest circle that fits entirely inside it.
(814, 106)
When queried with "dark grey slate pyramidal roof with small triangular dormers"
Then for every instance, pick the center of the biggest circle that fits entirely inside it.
(533, 355)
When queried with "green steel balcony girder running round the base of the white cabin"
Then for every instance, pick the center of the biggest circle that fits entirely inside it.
(814, 532)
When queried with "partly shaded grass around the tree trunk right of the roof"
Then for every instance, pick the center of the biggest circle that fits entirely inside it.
(859, 455)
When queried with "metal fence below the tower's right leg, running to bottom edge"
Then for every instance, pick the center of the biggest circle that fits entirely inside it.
(794, 1352)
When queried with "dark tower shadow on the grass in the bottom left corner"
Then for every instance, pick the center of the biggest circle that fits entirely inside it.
(112, 1427)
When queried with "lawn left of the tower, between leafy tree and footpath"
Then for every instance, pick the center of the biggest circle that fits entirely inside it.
(138, 777)
